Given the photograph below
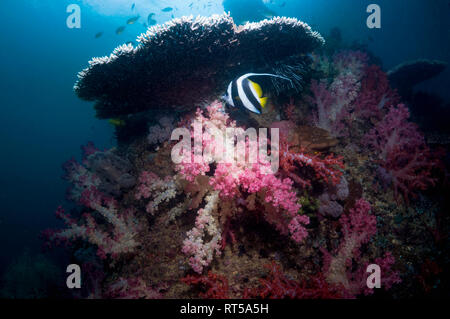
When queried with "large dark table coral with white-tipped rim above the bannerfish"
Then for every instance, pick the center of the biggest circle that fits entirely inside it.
(187, 60)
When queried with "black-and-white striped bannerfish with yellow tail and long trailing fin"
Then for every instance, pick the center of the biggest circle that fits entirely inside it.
(245, 93)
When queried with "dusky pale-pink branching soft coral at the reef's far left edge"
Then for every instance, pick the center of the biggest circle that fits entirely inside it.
(116, 238)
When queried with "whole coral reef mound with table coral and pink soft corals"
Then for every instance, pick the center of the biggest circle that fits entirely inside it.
(186, 218)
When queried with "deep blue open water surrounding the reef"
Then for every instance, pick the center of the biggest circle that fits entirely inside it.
(43, 123)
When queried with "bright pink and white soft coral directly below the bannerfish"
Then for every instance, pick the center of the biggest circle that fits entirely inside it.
(240, 185)
